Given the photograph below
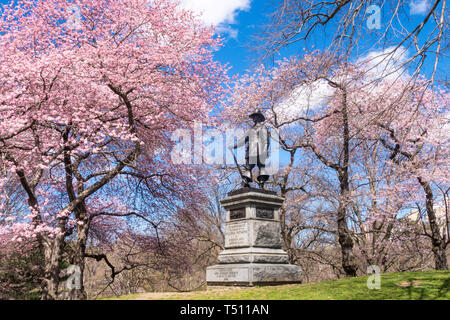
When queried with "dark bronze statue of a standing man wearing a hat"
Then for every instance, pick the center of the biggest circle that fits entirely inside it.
(256, 140)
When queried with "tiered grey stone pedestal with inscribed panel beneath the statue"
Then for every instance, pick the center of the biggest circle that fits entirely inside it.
(253, 252)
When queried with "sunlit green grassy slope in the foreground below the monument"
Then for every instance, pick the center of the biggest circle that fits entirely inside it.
(398, 286)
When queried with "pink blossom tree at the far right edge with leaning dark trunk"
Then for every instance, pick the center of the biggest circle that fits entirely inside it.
(412, 125)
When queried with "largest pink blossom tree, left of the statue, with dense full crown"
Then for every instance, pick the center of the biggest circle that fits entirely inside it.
(87, 109)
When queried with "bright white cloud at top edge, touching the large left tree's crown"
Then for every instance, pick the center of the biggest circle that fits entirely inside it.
(220, 13)
